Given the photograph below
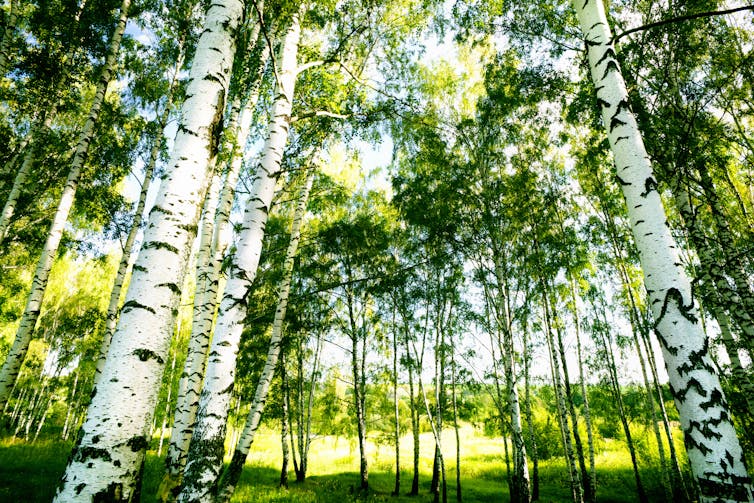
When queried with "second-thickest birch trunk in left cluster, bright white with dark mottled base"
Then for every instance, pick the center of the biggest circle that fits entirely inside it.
(207, 444)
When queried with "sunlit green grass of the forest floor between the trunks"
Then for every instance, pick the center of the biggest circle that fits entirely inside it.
(29, 473)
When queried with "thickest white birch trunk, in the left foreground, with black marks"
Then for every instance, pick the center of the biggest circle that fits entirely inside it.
(106, 461)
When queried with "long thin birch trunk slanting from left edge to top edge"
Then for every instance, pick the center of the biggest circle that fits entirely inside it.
(18, 351)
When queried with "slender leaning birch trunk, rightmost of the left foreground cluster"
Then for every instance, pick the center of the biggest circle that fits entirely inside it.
(230, 476)
